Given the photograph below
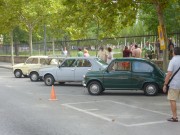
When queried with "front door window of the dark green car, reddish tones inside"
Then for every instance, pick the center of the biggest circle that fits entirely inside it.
(120, 66)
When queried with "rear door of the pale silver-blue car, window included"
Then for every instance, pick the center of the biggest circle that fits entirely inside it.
(82, 67)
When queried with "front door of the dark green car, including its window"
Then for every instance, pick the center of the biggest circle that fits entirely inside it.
(118, 75)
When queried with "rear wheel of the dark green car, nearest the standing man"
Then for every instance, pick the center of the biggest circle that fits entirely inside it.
(150, 89)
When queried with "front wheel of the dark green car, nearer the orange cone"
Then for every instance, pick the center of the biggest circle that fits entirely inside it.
(95, 88)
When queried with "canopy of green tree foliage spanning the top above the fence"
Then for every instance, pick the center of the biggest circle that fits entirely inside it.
(82, 19)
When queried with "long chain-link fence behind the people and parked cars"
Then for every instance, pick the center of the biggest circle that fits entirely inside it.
(56, 47)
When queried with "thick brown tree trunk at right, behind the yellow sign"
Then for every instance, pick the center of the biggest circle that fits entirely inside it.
(161, 23)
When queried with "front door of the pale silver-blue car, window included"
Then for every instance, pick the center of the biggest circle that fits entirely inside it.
(66, 70)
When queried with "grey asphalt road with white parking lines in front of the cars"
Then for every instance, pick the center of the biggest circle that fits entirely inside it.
(26, 110)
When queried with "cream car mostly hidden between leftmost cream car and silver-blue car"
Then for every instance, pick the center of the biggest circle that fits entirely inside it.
(33, 73)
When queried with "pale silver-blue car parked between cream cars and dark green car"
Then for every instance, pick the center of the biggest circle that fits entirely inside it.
(71, 70)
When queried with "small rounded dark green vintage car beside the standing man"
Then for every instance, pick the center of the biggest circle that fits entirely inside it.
(126, 74)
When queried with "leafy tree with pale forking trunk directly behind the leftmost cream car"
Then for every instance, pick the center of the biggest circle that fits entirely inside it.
(34, 12)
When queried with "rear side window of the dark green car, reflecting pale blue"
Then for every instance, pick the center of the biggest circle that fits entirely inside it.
(141, 67)
